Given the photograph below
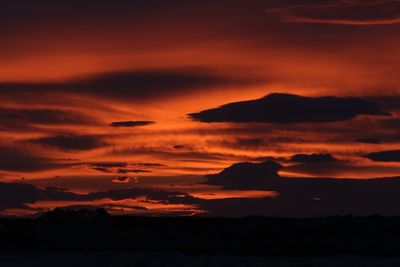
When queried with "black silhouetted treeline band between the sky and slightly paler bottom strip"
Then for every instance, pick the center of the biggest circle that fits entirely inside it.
(96, 230)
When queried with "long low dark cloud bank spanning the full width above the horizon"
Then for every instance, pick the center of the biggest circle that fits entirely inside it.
(296, 197)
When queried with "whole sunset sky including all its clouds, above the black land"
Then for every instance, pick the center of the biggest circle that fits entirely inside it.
(200, 108)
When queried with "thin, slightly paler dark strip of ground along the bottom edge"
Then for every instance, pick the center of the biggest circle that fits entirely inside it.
(143, 259)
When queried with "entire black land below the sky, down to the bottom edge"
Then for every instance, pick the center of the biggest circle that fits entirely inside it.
(96, 239)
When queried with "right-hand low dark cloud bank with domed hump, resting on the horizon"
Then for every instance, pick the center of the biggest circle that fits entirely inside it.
(302, 197)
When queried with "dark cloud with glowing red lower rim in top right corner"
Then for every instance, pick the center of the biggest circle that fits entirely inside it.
(342, 12)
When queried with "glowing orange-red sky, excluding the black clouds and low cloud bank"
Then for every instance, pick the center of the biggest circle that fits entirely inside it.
(68, 70)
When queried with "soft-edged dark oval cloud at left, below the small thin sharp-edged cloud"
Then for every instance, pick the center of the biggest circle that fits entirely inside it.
(70, 142)
